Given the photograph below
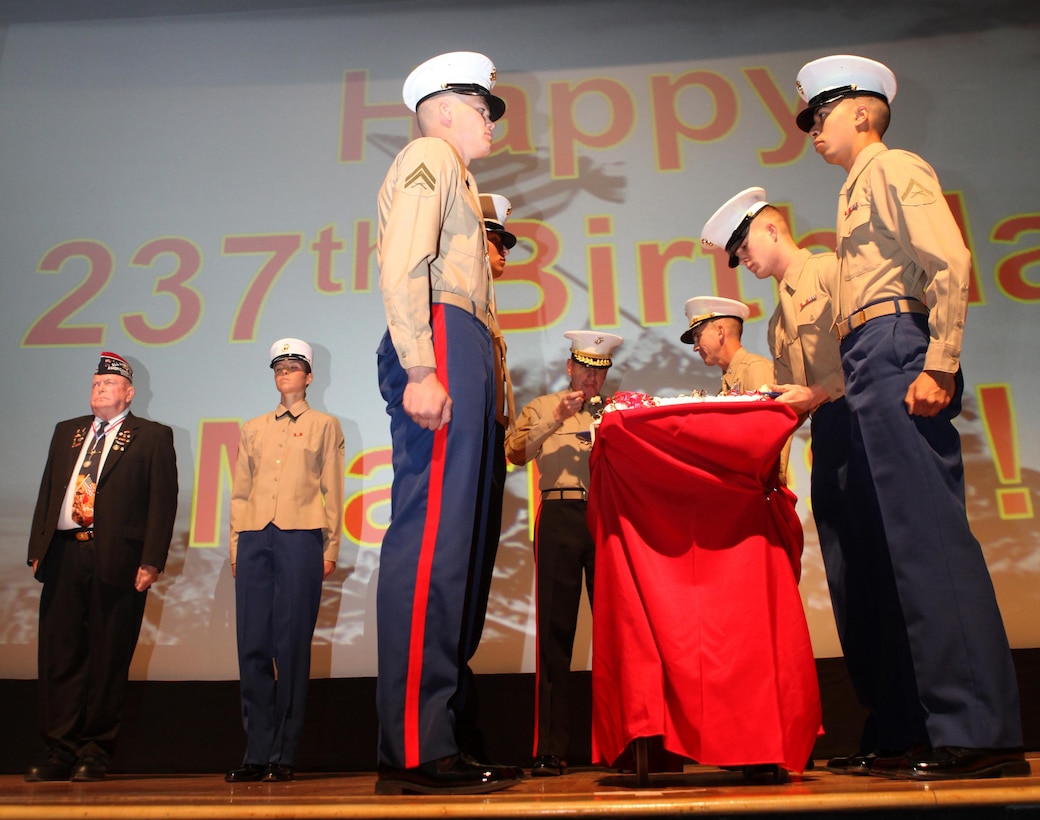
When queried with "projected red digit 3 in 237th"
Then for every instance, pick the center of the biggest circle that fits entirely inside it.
(189, 262)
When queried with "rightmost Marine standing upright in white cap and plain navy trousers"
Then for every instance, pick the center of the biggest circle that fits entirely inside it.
(948, 700)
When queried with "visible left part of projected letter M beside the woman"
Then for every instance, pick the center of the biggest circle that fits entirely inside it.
(218, 451)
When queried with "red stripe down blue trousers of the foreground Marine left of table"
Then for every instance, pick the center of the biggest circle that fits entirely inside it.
(413, 686)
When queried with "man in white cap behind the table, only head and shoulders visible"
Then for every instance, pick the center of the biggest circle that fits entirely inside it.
(716, 325)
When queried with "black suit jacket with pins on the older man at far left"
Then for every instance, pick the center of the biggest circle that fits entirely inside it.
(136, 505)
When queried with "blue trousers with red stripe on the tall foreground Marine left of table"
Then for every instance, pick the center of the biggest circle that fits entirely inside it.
(433, 550)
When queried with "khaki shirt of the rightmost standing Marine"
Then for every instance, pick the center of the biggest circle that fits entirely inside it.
(897, 238)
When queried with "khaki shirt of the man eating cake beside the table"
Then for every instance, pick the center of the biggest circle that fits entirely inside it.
(562, 457)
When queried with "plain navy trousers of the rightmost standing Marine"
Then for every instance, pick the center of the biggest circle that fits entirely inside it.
(949, 662)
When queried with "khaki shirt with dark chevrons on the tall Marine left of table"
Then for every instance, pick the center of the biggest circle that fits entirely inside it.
(431, 238)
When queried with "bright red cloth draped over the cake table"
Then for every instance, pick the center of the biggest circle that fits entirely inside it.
(699, 635)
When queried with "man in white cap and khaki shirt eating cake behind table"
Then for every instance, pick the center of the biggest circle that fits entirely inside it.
(549, 431)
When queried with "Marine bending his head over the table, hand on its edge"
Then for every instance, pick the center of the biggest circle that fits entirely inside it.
(809, 371)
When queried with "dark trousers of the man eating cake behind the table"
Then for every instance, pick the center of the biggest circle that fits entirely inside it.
(564, 552)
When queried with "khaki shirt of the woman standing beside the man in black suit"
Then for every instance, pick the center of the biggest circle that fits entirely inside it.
(290, 473)
